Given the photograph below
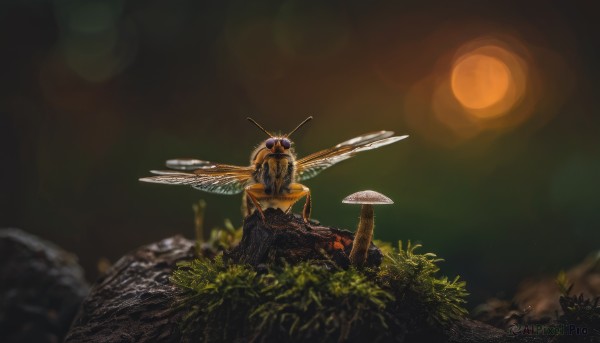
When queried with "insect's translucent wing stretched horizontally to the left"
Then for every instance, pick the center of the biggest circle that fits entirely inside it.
(213, 178)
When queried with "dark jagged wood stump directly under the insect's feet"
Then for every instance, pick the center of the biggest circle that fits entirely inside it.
(288, 237)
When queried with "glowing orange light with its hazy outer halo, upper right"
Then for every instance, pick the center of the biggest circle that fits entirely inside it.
(487, 84)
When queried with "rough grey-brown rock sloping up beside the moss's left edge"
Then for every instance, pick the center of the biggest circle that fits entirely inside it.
(135, 301)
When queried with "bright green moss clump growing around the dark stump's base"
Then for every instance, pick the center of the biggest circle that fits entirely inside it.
(316, 302)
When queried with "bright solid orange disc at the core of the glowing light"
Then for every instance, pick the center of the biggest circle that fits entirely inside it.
(480, 81)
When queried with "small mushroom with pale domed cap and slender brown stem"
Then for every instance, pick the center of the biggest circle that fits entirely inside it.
(364, 233)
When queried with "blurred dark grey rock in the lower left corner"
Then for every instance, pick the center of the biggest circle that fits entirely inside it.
(41, 288)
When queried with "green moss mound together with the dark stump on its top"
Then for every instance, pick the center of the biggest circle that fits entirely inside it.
(266, 291)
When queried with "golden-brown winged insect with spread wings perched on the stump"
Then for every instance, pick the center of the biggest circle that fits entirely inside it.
(272, 179)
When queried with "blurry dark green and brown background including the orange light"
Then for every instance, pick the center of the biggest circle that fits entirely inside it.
(499, 175)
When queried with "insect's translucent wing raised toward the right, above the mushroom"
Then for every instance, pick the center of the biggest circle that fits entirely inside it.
(313, 164)
